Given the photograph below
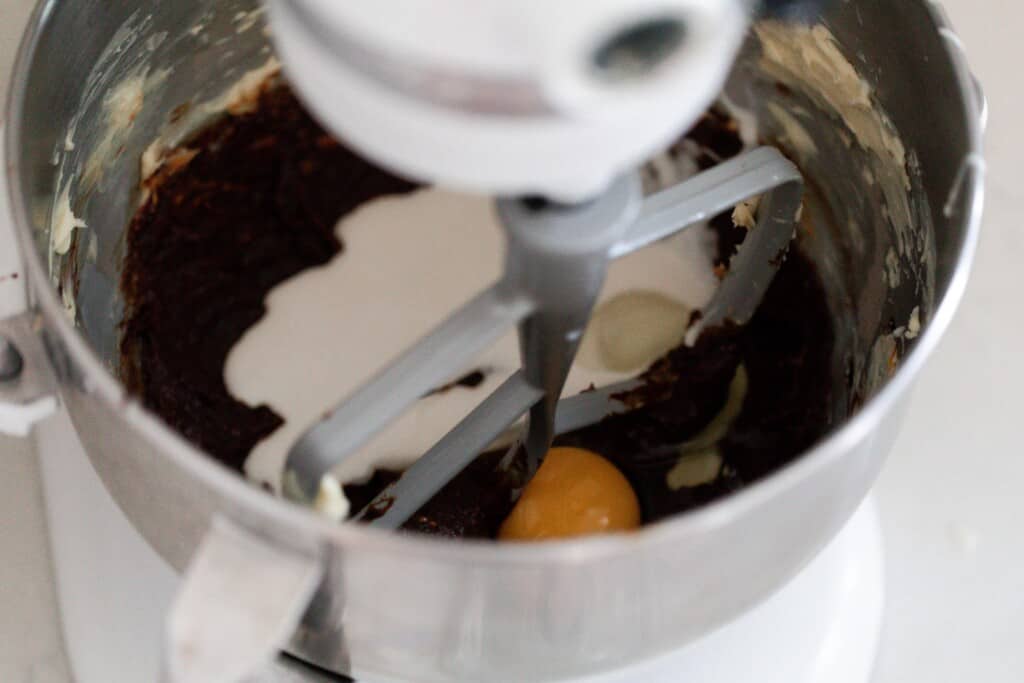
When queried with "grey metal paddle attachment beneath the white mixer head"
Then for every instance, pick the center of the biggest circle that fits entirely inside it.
(554, 272)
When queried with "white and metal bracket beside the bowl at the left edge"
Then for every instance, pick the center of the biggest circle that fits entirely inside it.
(28, 390)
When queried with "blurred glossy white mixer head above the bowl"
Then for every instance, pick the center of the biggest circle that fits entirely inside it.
(527, 98)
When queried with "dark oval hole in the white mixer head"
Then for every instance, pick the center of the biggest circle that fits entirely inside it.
(637, 51)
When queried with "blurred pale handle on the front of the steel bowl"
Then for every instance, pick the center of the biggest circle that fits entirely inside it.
(241, 600)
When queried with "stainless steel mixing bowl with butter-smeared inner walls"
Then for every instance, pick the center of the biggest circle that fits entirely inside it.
(416, 609)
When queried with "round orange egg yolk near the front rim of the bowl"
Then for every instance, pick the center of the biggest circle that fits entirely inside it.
(575, 493)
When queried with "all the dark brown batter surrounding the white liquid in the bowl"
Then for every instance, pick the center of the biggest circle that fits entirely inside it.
(259, 202)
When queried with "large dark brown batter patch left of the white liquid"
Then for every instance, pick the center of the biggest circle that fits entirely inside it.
(257, 205)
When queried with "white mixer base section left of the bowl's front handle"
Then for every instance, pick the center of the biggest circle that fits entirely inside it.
(111, 585)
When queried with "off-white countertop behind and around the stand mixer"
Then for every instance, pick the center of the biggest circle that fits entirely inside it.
(951, 495)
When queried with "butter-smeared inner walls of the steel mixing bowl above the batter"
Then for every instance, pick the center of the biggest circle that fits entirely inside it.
(182, 57)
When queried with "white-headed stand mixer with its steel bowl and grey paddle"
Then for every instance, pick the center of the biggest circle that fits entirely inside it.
(550, 109)
